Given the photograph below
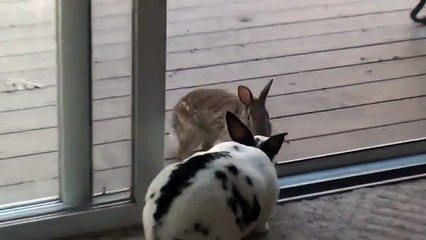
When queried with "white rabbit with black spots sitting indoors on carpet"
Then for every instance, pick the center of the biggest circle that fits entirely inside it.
(224, 193)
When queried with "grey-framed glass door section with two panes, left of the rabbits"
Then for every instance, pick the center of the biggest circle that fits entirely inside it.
(81, 113)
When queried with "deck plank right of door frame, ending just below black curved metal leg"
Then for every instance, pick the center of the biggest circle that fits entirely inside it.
(286, 47)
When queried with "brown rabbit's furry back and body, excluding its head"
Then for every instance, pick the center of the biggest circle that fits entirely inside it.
(198, 119)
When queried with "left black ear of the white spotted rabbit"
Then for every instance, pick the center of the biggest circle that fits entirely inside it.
(239, 132)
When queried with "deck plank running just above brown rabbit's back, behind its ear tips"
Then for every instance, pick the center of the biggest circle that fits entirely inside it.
(285, 84)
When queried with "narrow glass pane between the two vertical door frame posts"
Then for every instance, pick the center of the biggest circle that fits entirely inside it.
(111, 26)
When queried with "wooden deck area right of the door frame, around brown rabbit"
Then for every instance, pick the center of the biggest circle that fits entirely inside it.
(345, 77)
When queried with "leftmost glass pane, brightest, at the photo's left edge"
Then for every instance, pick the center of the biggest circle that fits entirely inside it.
(28, 98)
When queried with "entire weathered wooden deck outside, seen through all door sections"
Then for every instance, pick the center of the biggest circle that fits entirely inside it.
(347, 74)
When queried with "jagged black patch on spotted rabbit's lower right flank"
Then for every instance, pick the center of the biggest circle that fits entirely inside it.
(249, 213)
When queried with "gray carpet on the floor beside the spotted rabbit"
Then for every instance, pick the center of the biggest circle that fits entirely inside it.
(391, 212)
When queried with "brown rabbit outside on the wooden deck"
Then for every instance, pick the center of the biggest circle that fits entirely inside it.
(199, 117)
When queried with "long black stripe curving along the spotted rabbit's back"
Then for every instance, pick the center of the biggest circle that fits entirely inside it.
(180, 178)
